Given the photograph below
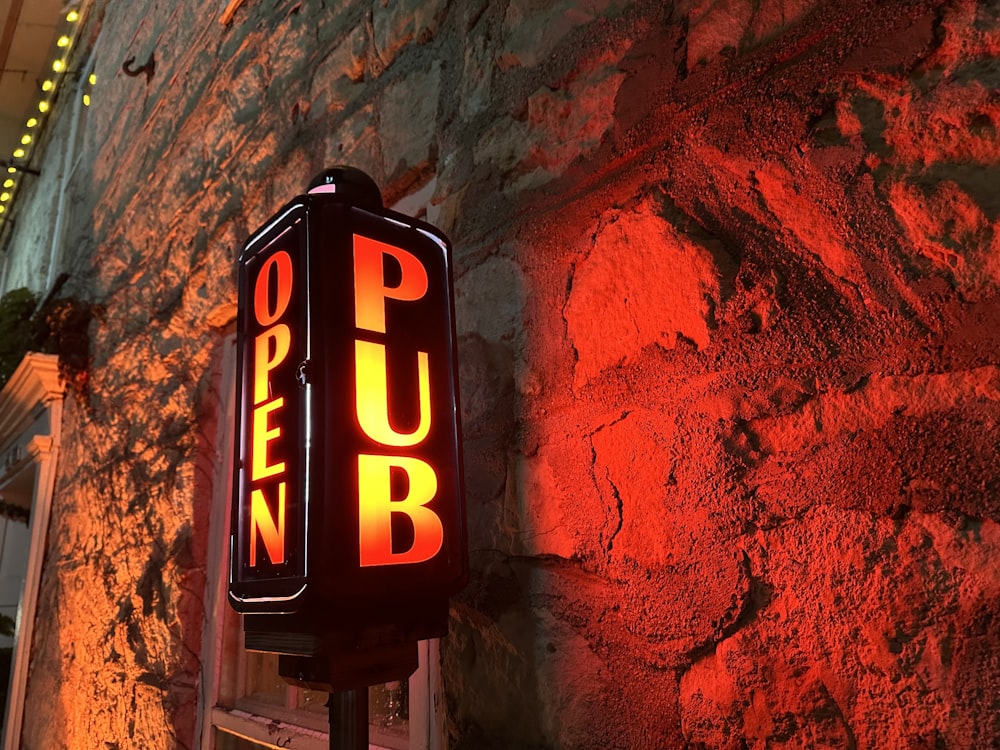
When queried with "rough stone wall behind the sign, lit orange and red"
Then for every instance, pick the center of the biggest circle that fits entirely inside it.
(728, 280)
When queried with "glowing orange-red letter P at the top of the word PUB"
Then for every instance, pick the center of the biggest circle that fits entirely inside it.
(369, 281)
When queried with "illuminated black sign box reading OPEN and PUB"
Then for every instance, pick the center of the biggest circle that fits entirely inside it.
(347, 479)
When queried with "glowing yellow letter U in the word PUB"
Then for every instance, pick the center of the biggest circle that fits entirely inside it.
(373, 396)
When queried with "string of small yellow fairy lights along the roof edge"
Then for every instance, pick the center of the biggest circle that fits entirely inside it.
(17, 164)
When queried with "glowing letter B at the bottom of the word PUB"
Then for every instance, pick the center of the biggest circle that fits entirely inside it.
(377, 506)
